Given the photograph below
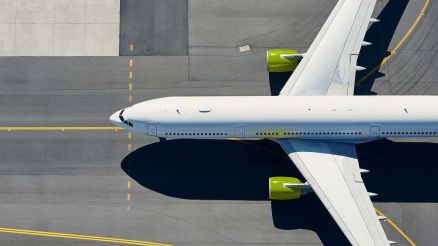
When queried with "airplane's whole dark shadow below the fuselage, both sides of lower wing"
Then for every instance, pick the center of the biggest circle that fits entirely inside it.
(239, 170)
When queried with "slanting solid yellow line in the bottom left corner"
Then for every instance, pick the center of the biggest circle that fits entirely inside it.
(79, 237)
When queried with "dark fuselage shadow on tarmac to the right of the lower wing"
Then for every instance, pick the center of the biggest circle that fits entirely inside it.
(400, 172)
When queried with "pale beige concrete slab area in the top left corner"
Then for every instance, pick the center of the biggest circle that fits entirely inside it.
(60, 28)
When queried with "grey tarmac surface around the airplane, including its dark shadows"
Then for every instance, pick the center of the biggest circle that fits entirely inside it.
(114, 184)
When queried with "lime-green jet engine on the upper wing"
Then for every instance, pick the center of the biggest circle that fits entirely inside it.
(277, 62)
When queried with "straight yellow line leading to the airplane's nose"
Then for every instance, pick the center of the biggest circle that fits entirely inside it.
(60, 128)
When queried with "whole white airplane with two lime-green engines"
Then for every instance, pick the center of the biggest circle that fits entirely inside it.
(316, 119)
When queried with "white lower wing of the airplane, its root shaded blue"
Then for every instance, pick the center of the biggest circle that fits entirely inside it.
(333, 172)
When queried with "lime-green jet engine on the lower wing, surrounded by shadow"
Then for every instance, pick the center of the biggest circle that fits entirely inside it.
(287, 188)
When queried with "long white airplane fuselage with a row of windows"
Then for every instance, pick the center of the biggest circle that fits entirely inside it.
(337, 118)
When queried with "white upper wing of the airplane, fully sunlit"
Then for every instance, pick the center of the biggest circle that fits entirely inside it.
(329, 66)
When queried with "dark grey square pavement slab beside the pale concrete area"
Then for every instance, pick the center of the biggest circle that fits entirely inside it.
(154, 27)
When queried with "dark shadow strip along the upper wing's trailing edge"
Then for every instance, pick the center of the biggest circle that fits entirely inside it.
(380, 35)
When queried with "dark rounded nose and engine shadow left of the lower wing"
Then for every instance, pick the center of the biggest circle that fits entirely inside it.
(229, 170)
